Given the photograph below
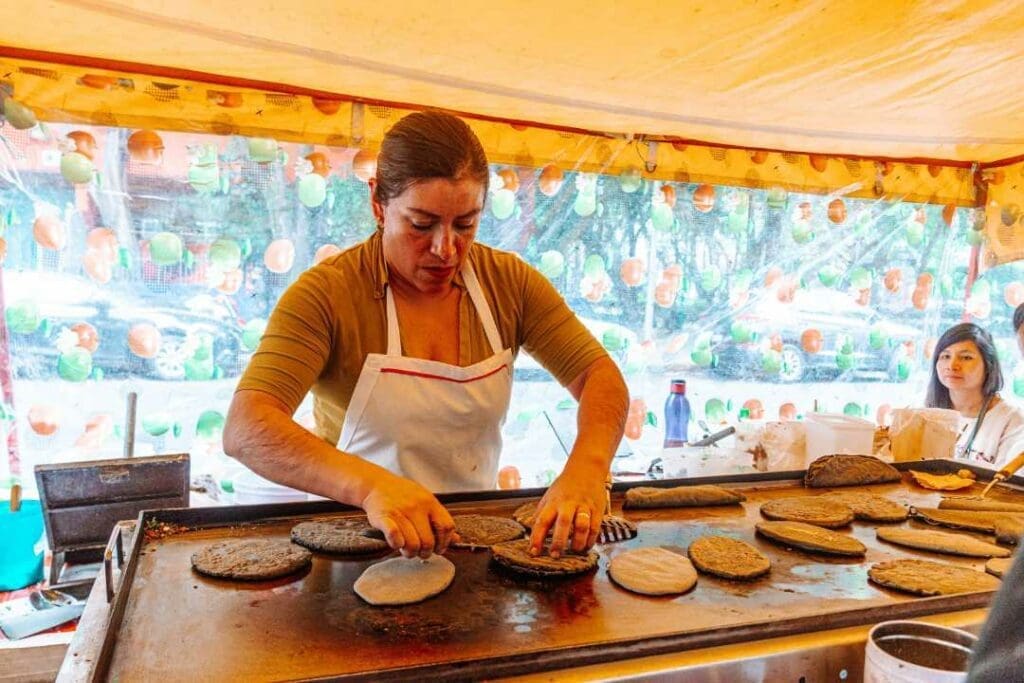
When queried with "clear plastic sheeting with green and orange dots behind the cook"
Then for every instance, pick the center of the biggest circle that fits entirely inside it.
(150, 261)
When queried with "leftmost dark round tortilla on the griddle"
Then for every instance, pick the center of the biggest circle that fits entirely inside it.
(253, 560)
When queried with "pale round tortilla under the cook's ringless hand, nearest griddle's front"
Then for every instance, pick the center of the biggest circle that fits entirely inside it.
(402, 581)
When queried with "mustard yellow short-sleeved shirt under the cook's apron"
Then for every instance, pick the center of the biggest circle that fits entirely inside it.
(333, 316)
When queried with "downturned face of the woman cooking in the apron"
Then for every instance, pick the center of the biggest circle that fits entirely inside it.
(429, 231)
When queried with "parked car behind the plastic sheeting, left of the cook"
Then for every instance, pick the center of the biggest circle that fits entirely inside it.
(201, 336)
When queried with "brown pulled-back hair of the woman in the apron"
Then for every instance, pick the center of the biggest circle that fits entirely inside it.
(429, 145)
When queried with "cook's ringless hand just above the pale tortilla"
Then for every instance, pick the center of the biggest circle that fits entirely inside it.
(412, 520)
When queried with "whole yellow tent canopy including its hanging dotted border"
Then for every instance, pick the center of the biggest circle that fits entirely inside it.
(900, 100)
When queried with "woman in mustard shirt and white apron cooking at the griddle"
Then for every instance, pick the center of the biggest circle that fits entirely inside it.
(407, 343)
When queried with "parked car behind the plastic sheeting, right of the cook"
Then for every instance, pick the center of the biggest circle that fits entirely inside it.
(852, 340)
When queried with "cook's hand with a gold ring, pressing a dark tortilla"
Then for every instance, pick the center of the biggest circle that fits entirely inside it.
(572, 509)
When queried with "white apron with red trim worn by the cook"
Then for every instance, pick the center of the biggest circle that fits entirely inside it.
(437, 424)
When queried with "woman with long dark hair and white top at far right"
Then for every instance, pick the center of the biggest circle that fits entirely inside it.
(967, 378)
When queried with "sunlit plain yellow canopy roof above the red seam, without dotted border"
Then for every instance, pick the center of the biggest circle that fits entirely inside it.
(901, 79)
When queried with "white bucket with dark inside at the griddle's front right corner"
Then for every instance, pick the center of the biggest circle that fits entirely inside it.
(917, 653)
